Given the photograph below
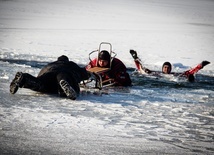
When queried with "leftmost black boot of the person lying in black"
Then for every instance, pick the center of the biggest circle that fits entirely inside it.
(16, 83)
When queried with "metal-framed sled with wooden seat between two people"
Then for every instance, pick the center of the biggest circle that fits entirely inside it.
(97, 72)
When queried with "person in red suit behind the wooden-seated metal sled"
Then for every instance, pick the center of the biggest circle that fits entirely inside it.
(117, 72)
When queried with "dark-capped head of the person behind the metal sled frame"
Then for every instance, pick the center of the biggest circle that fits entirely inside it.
(104, 59)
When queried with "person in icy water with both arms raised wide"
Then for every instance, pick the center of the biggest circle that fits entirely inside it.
(167, 67)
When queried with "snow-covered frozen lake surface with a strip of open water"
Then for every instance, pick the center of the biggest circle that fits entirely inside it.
(154, 116)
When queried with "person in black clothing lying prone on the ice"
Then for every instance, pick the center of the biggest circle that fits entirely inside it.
(61, 76)
